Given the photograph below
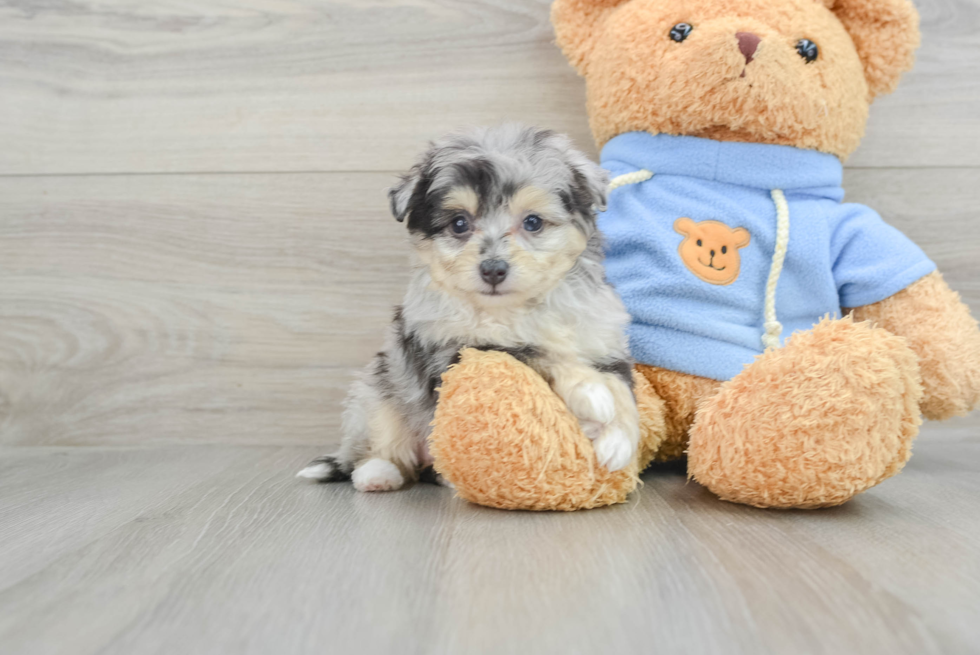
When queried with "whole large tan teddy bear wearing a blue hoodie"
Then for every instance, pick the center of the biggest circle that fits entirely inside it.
(787, 343)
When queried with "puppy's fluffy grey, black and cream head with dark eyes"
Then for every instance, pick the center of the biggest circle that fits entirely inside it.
(500, 216)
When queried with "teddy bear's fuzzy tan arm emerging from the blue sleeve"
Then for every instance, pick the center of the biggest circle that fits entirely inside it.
(945, 337)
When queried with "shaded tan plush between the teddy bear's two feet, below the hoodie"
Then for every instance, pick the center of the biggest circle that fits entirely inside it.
(681, 394)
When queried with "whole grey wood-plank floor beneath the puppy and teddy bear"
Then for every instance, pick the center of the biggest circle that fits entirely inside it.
(251, 560)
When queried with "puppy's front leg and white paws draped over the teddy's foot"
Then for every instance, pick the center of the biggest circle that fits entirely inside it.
(604, 406)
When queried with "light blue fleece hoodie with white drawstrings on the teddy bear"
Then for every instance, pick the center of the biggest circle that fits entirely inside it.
(693, 314)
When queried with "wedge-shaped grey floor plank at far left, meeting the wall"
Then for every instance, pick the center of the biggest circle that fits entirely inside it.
(55, 501)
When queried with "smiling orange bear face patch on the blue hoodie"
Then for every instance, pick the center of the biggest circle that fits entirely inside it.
(710, 249)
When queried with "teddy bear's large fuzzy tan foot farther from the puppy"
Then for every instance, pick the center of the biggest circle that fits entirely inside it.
(811, 424)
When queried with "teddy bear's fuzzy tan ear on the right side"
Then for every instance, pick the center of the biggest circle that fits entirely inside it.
(886, 35)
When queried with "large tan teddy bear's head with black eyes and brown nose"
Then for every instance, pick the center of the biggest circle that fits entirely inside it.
(790, 72)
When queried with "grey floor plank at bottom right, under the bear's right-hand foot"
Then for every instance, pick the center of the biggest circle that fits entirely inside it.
(886, 545)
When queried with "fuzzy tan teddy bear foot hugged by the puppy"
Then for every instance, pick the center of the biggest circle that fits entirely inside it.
(504, 439)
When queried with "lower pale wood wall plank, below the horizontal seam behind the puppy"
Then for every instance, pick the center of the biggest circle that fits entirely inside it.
(232, 308)
